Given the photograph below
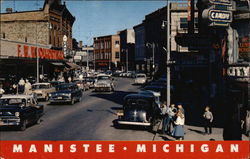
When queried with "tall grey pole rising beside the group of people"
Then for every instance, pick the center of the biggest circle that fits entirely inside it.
(168, 53)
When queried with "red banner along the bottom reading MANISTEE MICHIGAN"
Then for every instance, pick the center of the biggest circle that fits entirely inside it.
(124, 149)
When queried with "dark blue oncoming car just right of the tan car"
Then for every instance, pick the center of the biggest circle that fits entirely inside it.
(69, 92)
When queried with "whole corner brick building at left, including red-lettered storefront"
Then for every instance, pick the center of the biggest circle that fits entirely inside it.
(30, 35)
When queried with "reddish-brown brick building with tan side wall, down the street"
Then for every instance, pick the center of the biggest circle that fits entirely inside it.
(107, 52)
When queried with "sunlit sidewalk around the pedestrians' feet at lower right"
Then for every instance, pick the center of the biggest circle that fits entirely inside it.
(194, 133)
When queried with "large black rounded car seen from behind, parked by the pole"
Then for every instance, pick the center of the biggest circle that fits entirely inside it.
(140, 110)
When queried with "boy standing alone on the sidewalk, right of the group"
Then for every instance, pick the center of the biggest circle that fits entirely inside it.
(208, 117)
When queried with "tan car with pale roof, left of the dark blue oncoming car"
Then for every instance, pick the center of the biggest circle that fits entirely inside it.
(42, 90)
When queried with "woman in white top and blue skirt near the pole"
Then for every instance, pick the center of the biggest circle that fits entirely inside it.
(178, 132)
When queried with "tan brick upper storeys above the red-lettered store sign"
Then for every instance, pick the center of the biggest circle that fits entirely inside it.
(46, 26)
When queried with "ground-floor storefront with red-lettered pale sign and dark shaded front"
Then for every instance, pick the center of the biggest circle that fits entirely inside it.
(20, 60)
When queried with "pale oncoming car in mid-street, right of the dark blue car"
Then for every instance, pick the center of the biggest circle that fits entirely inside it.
(104, 83)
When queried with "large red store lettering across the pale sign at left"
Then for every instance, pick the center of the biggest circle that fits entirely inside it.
(43, 53)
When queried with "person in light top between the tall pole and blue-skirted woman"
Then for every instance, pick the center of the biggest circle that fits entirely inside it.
(171, 111)
